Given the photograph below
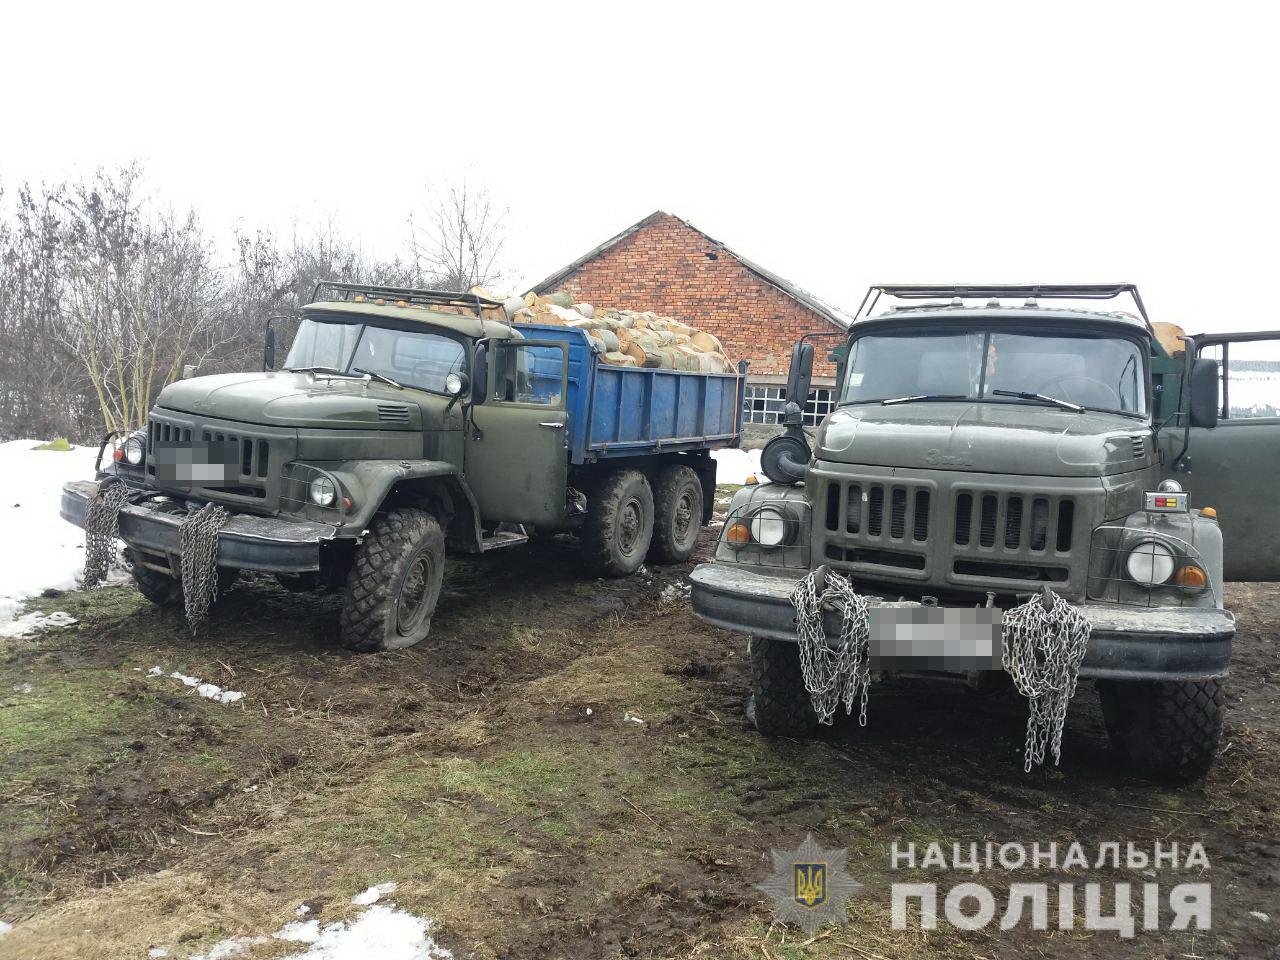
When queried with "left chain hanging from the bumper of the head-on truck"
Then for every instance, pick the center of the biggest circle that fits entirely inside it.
(840, 675)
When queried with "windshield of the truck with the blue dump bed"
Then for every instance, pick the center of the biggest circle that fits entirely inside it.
(410, 358)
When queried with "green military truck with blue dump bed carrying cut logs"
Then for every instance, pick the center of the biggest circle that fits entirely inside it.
(405, 423)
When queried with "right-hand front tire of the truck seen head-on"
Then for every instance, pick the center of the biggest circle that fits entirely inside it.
(1169, 732)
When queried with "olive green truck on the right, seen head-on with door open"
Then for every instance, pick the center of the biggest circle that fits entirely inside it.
(981, 452)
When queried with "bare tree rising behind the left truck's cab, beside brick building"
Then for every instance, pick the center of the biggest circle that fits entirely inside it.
(458, 243)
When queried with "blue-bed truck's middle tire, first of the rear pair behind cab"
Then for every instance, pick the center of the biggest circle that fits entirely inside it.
(619, 524)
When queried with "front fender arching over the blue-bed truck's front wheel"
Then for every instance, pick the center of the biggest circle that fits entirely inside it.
(437, 484)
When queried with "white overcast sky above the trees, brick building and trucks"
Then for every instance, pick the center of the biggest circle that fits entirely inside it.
(981, 143)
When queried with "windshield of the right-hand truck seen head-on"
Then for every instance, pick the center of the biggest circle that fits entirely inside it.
(1092, 372)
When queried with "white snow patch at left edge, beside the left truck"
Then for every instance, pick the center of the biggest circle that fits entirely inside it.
(42, 550)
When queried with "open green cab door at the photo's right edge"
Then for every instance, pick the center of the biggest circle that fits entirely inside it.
(1236, 464)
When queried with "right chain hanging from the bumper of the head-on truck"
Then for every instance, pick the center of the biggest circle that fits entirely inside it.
(1045, 641)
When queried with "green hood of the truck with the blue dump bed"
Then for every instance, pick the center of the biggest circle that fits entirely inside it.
(296, 400)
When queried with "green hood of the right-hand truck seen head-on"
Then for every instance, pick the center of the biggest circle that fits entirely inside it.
(988, 438)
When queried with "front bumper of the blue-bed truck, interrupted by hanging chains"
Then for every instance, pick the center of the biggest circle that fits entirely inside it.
(245, 543)
